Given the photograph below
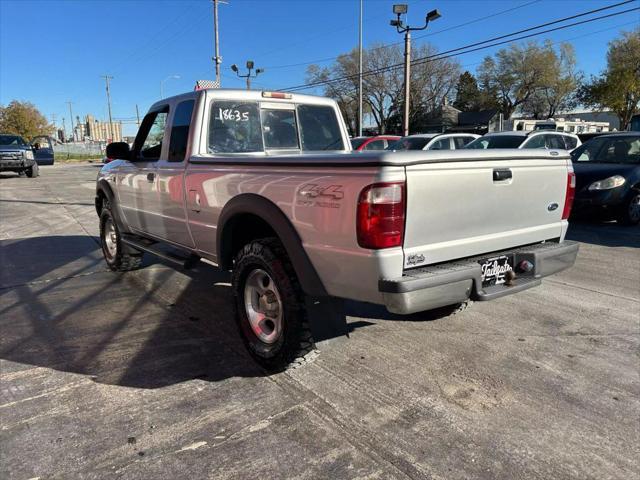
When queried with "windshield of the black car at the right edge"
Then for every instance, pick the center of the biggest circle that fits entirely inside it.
(619, 149)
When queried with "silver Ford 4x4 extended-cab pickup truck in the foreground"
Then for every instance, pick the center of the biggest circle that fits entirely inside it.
(264, 184)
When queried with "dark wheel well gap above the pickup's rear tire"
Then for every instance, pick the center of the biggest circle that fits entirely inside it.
(239, 231)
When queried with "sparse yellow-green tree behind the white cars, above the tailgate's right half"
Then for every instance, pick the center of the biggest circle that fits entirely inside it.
(520, 72)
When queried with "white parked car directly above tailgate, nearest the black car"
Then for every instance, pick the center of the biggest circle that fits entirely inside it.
(521, 139)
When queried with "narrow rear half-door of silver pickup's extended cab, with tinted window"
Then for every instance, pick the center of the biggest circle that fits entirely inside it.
(169, 184)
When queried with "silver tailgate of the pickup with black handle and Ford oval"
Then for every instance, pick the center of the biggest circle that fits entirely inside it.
(462, 208)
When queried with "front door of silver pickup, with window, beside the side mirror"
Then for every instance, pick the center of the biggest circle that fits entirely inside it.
(137, 179)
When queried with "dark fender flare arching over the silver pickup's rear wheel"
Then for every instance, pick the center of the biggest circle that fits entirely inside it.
(250, 203)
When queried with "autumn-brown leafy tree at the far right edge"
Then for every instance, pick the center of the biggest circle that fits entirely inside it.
(618, 87)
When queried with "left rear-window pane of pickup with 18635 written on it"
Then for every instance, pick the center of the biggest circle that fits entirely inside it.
(234, 127)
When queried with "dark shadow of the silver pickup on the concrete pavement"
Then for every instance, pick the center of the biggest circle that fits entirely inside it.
(61, 308)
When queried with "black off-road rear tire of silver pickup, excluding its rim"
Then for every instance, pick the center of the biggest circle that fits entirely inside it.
(295, 344)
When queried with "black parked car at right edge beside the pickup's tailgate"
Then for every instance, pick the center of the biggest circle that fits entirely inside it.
(608, 177)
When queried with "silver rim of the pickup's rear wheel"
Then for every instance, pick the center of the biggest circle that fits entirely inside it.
(263, 305)
